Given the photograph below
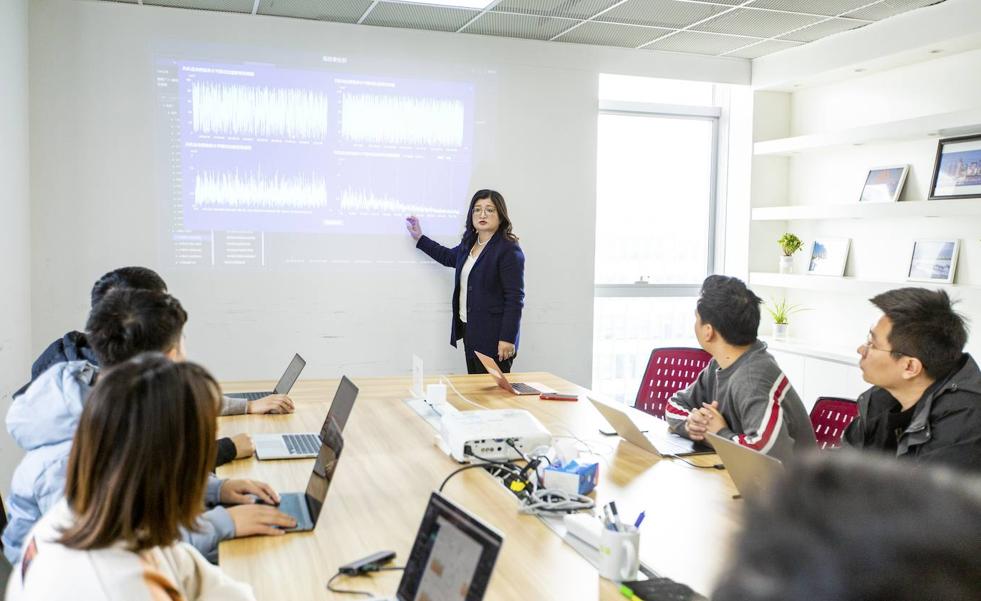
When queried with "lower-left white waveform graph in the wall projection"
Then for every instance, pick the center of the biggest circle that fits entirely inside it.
(253, 191)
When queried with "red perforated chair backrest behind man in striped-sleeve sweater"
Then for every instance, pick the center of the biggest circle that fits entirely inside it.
(668, 371)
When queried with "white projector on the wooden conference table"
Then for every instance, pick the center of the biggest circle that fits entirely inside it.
(484, 433)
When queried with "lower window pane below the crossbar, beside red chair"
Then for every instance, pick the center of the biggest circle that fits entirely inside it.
(626, 330)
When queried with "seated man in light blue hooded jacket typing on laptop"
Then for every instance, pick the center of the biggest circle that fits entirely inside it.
(43, 421)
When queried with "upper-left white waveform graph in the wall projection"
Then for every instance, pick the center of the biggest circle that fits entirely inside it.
(258, 111)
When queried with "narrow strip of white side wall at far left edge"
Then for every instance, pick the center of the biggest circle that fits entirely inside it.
(15, 207)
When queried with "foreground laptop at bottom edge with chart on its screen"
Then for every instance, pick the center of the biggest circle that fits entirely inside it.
(452, 558)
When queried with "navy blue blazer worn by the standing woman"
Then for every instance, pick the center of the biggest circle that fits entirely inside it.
(495, 291)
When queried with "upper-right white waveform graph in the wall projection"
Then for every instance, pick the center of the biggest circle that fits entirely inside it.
(388, 119)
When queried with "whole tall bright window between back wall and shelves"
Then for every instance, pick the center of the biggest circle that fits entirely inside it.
(655, 223)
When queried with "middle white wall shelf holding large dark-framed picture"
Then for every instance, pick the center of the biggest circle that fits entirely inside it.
(969, 207)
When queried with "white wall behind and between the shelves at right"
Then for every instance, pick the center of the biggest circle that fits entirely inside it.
(880, 247)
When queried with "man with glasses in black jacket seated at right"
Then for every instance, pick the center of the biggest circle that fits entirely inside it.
(925, 403)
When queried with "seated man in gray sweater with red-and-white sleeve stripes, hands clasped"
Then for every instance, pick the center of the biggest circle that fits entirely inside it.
(741, 394)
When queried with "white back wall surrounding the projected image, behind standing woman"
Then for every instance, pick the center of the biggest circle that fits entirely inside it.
(93, 165)
